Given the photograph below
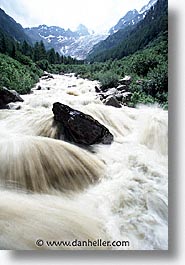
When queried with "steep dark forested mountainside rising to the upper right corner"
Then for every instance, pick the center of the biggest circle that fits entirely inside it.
(134, 36)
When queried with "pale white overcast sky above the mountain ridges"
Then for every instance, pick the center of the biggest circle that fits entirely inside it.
(97, 15)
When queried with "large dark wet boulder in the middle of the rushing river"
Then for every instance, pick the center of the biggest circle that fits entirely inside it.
(79, 127)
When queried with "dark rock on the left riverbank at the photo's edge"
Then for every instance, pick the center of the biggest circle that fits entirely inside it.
(7, 96)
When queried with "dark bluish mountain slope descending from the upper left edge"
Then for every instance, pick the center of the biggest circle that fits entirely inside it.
(10, 27)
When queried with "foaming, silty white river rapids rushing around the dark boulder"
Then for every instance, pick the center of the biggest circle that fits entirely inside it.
(54, 190)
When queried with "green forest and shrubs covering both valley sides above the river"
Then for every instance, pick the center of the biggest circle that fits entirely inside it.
(141, 52)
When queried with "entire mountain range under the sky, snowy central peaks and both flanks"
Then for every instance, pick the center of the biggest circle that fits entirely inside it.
(80, 43)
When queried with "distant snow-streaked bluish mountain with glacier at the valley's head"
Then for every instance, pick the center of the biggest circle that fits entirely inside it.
(76, 44)
